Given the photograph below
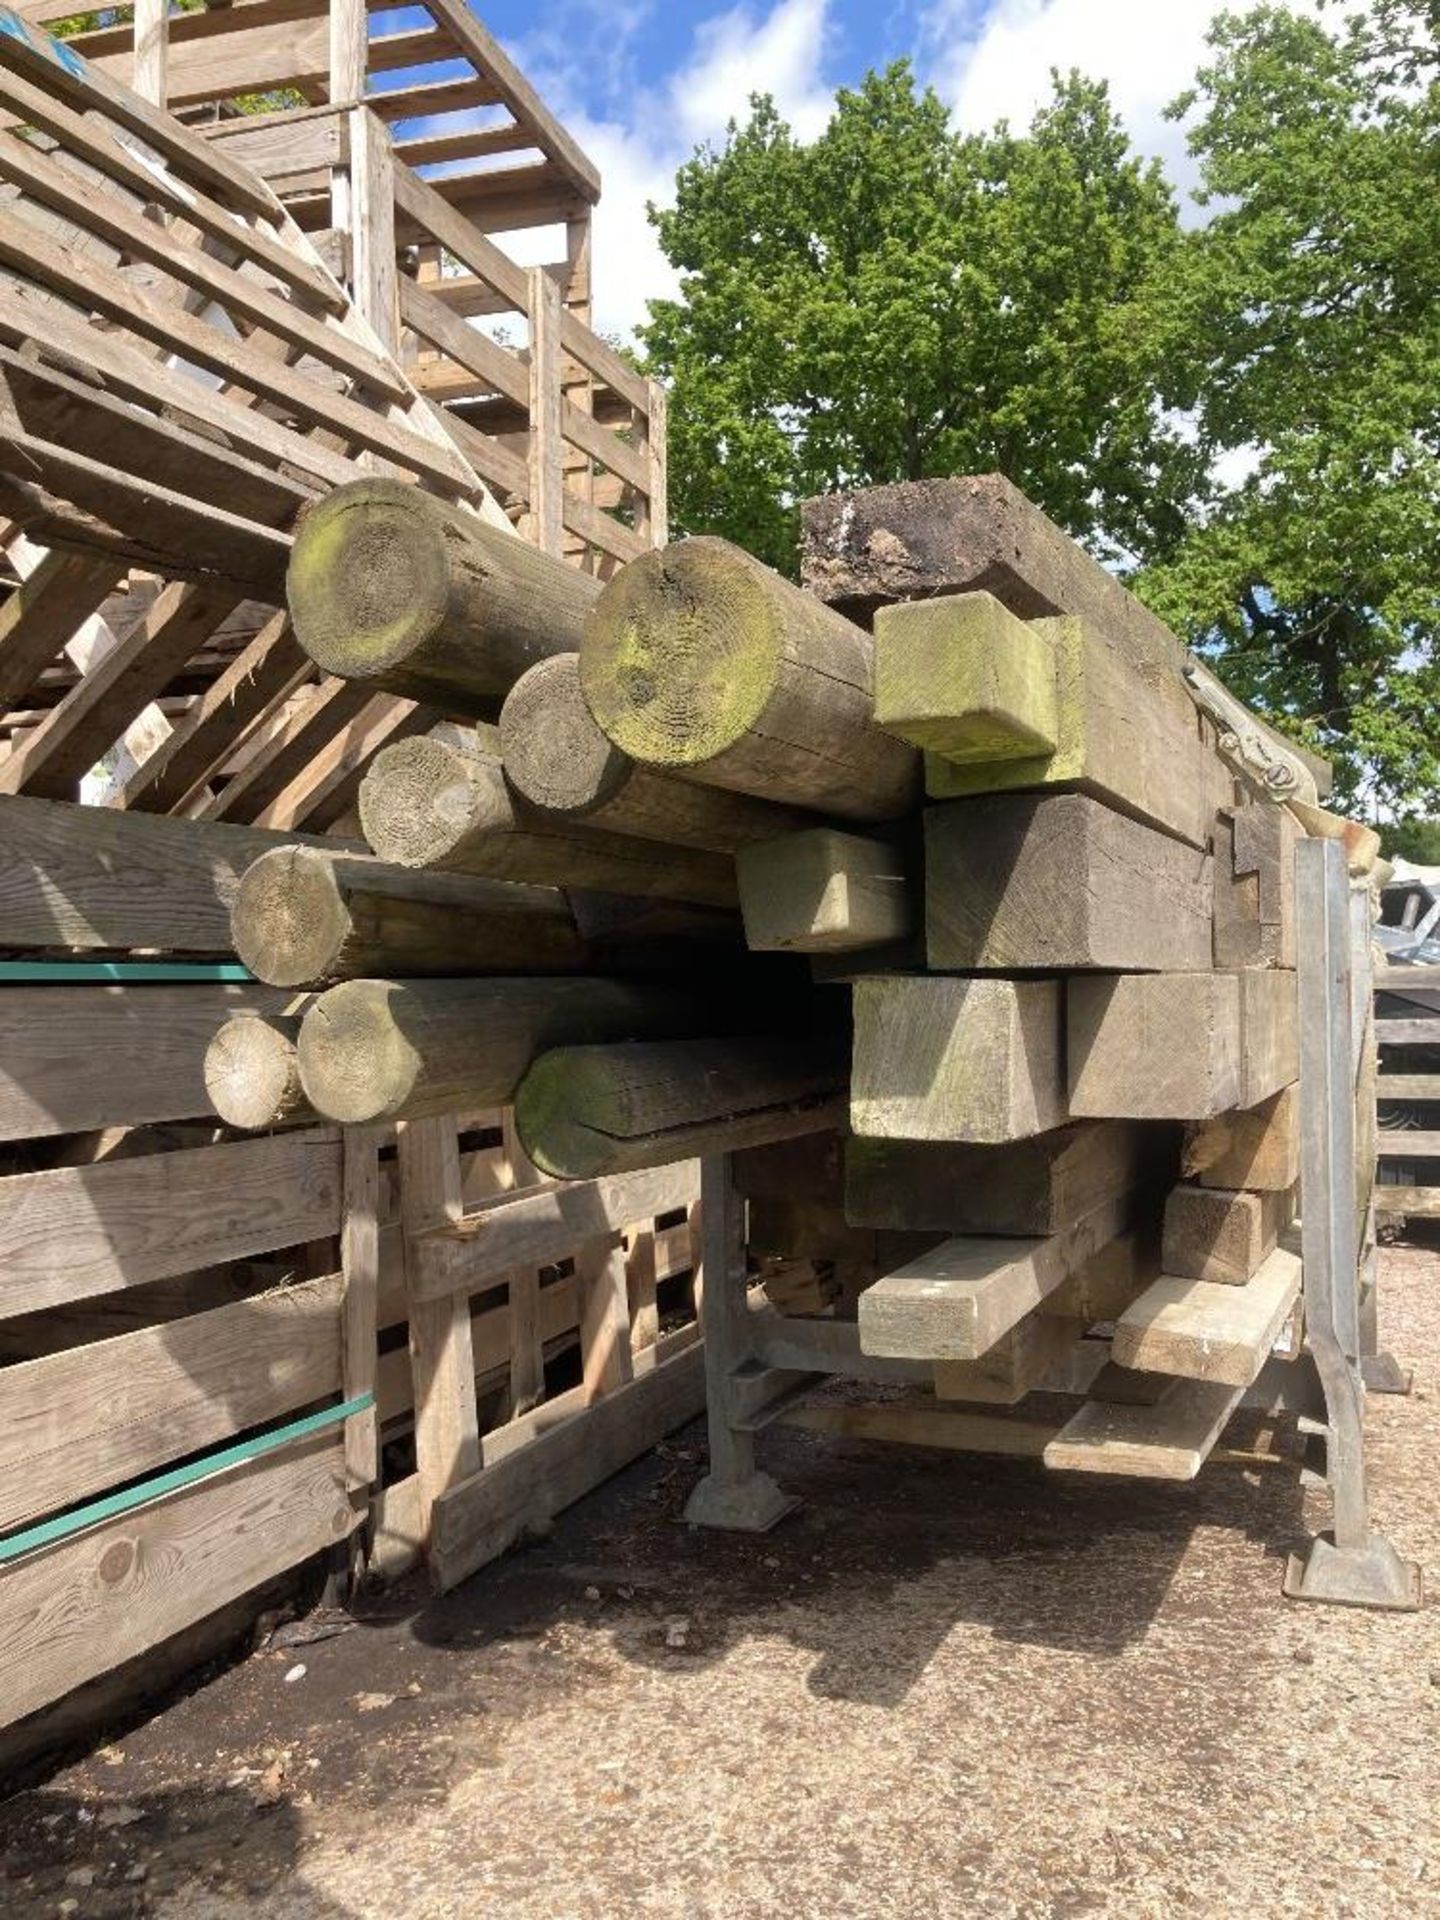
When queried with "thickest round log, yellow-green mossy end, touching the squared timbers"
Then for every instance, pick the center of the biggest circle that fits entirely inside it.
(702, 660)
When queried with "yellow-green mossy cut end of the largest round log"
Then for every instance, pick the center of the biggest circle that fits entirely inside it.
(683, 654)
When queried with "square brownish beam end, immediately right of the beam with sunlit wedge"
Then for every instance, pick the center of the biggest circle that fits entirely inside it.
(1153, 1045)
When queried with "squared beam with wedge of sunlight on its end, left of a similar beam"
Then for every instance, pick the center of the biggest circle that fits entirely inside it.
(974, 1061)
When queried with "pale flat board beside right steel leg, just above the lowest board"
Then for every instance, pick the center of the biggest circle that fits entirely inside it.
(1205, 1332)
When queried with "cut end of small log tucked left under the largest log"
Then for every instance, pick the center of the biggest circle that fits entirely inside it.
(556, 756)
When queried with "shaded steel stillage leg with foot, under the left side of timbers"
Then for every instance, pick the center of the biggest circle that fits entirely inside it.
(732, 1495)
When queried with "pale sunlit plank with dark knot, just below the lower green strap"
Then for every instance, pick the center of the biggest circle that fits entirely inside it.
(122, 1589)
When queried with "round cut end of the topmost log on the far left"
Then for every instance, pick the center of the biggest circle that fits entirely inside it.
(370, 577)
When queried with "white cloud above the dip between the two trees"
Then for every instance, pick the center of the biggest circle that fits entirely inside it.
(997, 64)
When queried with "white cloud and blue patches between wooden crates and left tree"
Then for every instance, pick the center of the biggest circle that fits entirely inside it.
(738, 53)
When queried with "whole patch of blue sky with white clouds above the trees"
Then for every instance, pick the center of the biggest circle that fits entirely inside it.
(642, 82)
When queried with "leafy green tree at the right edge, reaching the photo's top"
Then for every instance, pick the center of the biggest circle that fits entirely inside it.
(1303, 331)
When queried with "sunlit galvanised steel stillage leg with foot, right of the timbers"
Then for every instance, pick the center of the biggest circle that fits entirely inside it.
(1351, 1566)
